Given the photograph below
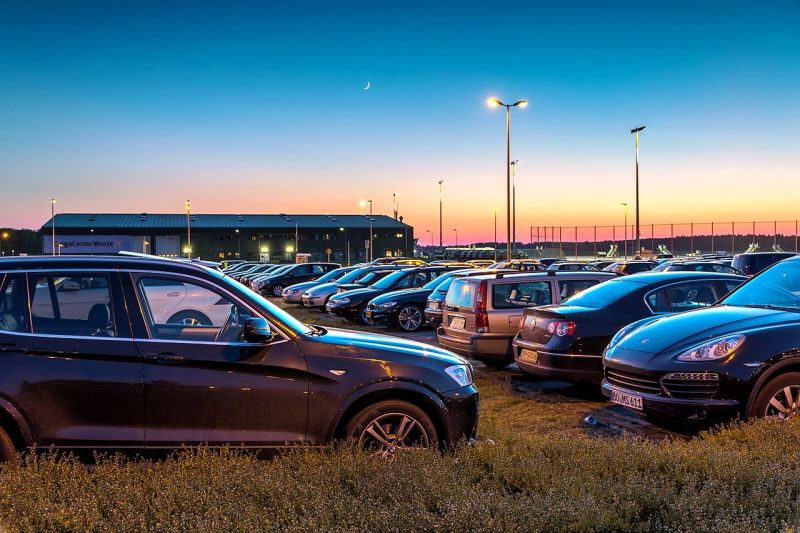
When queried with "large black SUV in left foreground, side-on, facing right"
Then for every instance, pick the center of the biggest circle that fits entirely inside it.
(94, 355)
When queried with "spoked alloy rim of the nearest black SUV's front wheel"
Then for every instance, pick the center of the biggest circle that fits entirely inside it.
(393, 432)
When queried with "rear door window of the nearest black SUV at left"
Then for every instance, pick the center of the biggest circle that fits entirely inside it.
(72, 305)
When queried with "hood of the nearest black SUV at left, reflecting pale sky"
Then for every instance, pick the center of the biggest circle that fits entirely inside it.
(360, 344)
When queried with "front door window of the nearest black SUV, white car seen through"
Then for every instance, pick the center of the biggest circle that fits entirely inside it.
(177, 309)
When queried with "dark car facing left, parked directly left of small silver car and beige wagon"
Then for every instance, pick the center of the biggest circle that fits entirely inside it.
(405, 309)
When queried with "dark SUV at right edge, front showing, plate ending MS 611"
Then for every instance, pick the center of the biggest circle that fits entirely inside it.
(737, 358)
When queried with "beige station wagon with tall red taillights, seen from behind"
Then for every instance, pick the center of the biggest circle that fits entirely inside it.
(482, 313)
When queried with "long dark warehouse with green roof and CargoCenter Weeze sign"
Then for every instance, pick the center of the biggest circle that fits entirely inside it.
(340, 238)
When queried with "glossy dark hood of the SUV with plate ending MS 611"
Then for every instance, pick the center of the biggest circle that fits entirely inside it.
(676, 332)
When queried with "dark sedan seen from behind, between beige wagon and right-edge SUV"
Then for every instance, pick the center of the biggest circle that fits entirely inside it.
(566, 340)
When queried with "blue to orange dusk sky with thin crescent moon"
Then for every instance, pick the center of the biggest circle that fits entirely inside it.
(136, 106)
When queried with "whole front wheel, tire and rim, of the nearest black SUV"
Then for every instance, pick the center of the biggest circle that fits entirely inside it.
(378, 427)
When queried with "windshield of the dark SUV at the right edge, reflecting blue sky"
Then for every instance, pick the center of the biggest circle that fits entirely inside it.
(778, 286)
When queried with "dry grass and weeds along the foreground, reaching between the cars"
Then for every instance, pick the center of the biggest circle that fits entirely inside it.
(537, 469)
